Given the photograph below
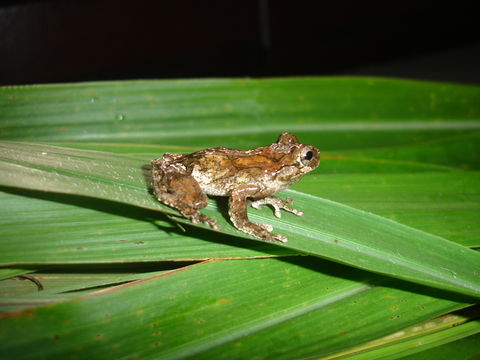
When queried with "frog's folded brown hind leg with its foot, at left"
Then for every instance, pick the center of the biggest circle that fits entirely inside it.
(176, 188)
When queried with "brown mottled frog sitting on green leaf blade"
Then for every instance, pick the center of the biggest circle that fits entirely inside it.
(184, 181)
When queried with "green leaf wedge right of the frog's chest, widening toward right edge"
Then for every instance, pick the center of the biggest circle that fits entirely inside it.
(444, 204)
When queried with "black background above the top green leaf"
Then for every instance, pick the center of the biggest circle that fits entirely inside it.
(60, 41)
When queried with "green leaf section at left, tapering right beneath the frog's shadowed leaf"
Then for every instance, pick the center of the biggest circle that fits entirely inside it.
(93, 231)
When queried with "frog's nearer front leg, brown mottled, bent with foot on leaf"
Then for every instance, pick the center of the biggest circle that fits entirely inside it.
(238, 215)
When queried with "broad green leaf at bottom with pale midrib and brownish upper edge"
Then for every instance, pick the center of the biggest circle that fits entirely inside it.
(302, 308)
